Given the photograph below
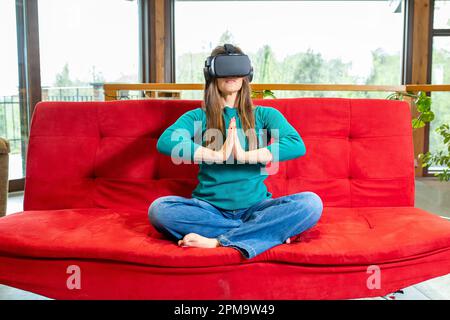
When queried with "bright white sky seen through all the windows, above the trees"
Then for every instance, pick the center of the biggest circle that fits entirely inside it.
(80, 33)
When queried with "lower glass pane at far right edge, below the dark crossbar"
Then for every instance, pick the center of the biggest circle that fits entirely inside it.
(440, 100)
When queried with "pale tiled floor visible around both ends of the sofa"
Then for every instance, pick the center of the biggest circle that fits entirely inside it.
(431, 195)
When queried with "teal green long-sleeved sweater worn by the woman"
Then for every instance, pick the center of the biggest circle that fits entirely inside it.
(231, 186)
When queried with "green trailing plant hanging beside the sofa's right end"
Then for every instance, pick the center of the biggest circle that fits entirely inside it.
(441, 158)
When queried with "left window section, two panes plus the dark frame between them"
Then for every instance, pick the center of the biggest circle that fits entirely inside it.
(83, 43)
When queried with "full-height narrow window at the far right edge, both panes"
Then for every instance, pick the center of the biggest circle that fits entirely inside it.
(440, 73)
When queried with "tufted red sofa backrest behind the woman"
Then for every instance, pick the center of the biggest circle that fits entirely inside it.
(359, 152)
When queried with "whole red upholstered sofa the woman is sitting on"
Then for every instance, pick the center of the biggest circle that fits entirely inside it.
(93, 170)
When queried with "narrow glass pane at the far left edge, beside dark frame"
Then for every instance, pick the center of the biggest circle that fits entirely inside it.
(10, 128)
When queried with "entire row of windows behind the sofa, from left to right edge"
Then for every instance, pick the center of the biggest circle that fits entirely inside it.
(84, 43)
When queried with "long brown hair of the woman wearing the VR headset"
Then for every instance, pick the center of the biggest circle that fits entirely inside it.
(212, 105)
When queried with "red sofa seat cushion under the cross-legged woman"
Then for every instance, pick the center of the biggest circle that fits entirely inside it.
(343, 236)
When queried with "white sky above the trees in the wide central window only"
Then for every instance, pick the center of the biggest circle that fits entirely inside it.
(329, 27)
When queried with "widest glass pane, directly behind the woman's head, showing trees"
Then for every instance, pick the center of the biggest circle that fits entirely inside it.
(347, 42)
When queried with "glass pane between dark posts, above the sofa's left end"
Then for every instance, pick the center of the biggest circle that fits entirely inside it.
(85, 43)
